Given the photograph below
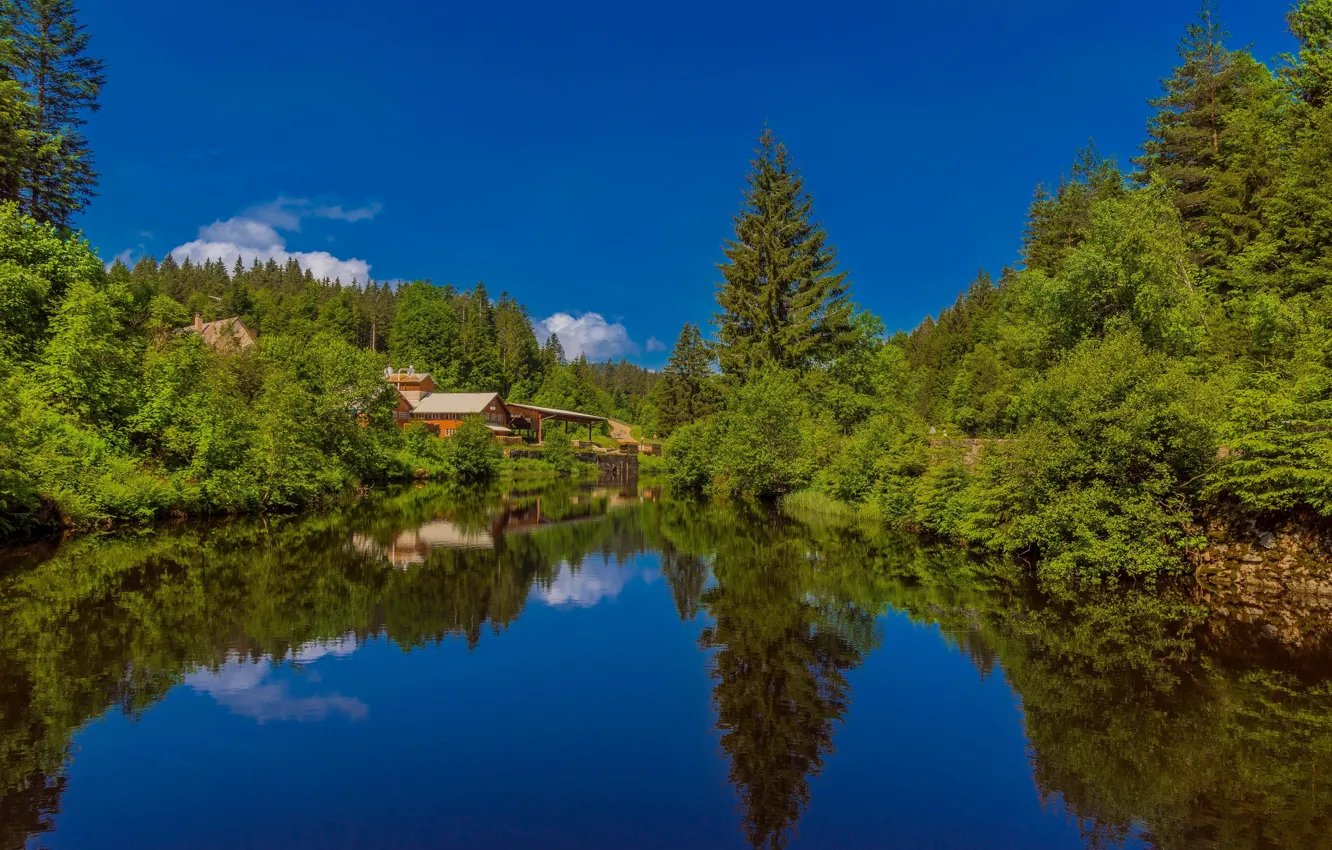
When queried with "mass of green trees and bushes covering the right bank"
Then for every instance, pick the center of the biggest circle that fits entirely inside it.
(1158, 366)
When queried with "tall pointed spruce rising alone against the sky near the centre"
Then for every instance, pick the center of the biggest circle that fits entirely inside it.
(784, 303)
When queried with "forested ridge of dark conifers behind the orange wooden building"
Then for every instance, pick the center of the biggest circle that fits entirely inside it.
(467, 339)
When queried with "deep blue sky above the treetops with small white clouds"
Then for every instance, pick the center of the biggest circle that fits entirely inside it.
(588, 157)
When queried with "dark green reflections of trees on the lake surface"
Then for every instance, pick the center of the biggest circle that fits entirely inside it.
(1144, 727)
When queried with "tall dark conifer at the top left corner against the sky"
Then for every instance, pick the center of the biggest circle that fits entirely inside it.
(63, 85)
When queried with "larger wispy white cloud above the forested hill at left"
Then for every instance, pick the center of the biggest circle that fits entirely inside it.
(256, 234)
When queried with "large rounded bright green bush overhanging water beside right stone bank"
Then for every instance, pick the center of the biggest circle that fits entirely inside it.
(1114, 440)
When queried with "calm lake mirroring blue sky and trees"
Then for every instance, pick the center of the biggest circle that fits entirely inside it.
(608, 667)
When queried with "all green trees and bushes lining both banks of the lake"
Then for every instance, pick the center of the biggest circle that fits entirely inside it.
(1156, 374)
